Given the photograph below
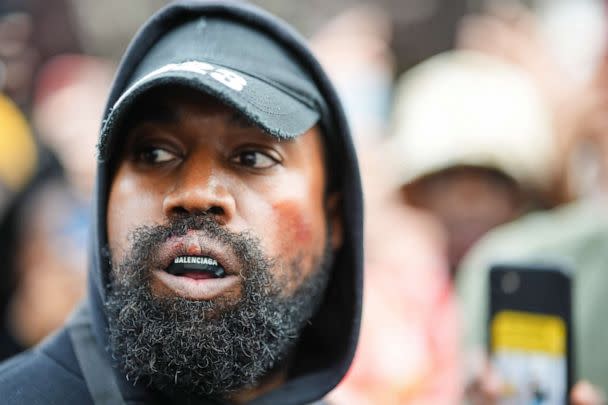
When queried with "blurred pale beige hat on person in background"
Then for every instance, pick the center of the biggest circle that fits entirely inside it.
(465, 108)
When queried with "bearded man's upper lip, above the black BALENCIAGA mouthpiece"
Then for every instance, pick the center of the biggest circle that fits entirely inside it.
(195, 243)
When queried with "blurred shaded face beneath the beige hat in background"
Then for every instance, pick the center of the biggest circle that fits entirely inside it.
(469, 202)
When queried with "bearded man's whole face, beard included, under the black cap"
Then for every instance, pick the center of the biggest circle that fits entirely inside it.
(193, 178)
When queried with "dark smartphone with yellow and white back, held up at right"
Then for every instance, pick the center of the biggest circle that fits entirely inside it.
(530, 332)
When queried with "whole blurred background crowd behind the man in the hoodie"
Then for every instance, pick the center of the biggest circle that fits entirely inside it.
(482, 133)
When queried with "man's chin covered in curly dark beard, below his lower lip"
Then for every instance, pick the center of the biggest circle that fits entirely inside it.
(199, 347)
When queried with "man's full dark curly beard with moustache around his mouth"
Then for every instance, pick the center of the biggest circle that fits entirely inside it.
(208, 348)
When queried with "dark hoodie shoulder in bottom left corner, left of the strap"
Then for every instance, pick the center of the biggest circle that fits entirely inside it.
(47, 374)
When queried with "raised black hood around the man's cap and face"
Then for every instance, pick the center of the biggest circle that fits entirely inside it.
(325, 350)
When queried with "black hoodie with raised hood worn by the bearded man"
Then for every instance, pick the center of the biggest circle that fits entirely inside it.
(52, 374)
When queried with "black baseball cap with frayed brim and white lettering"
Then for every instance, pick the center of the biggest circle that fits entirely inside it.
(240, 65)
